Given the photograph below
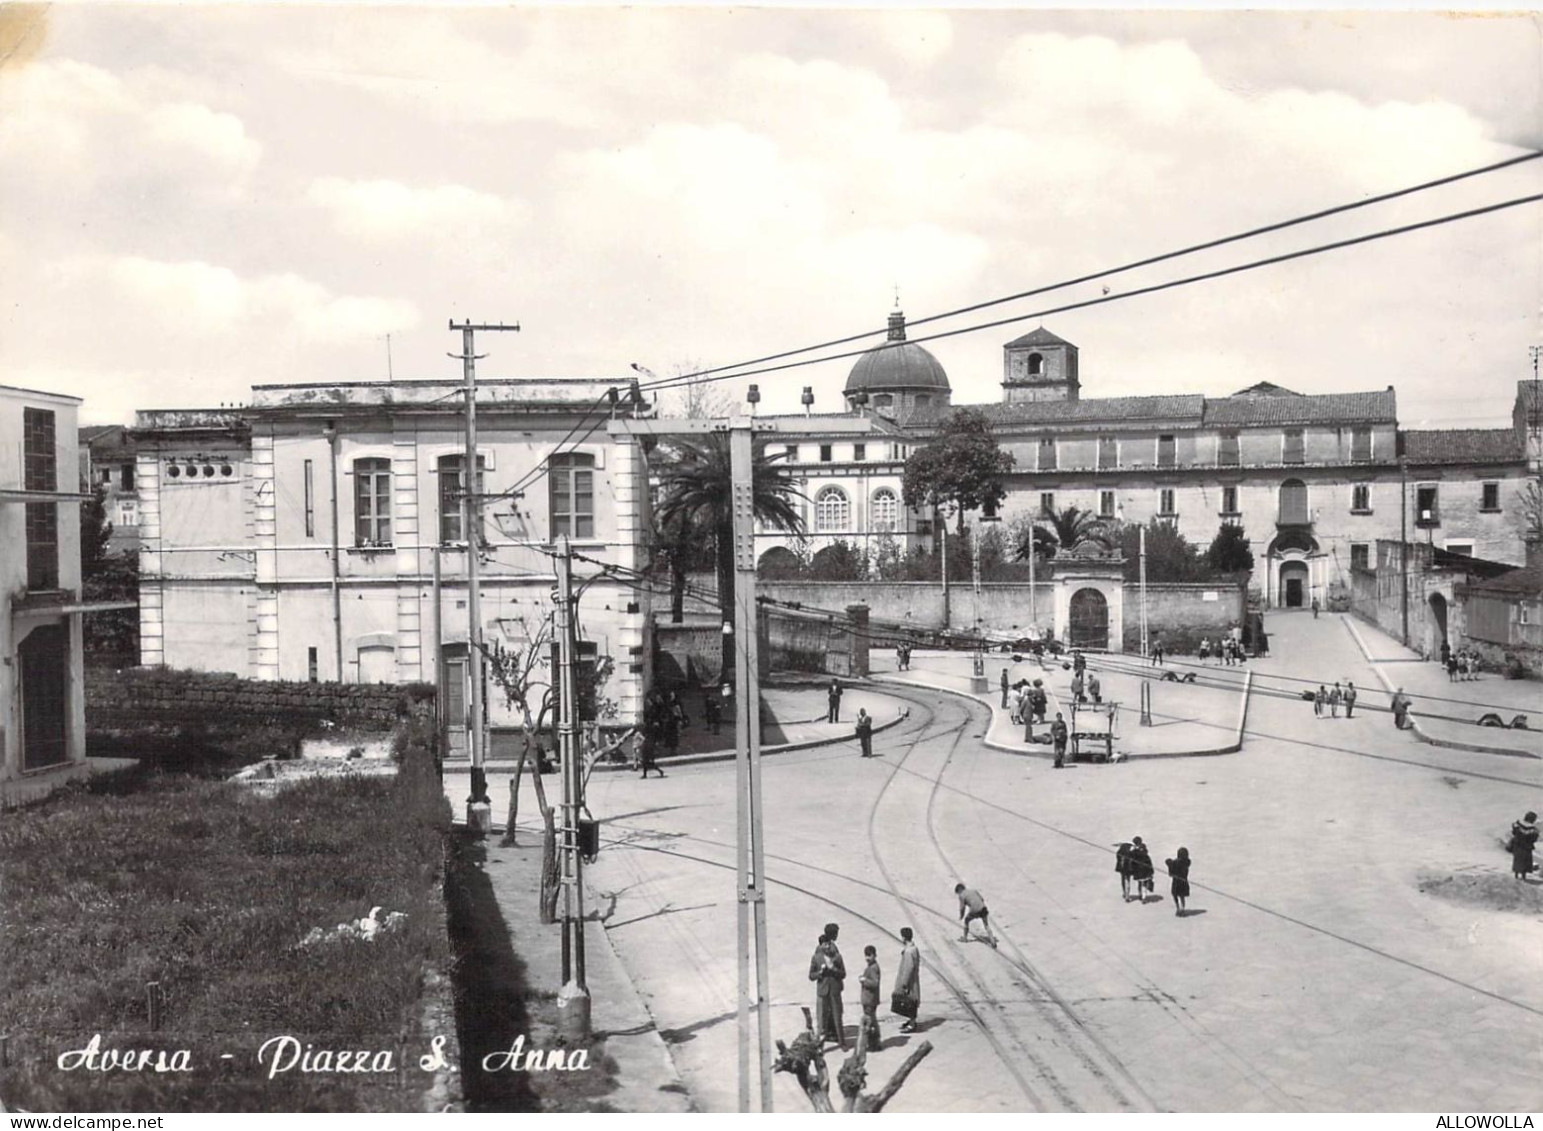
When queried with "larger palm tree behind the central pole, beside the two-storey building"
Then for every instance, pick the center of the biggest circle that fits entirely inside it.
(697, 496)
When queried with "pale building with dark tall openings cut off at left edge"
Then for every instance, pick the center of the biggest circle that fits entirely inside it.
(42, 680)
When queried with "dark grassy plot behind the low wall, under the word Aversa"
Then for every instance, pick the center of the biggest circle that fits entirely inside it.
(209, 891)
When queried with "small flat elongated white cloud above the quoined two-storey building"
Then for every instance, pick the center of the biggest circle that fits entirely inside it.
(391, 211)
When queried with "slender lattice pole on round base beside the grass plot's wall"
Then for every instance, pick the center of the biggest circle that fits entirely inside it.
(573, 999)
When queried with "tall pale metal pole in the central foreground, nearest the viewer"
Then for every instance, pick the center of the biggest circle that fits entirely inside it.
(748, 777)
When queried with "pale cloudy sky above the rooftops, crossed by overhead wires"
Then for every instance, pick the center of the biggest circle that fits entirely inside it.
(195, 200)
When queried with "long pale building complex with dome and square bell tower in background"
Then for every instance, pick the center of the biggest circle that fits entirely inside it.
(1315, 481)
